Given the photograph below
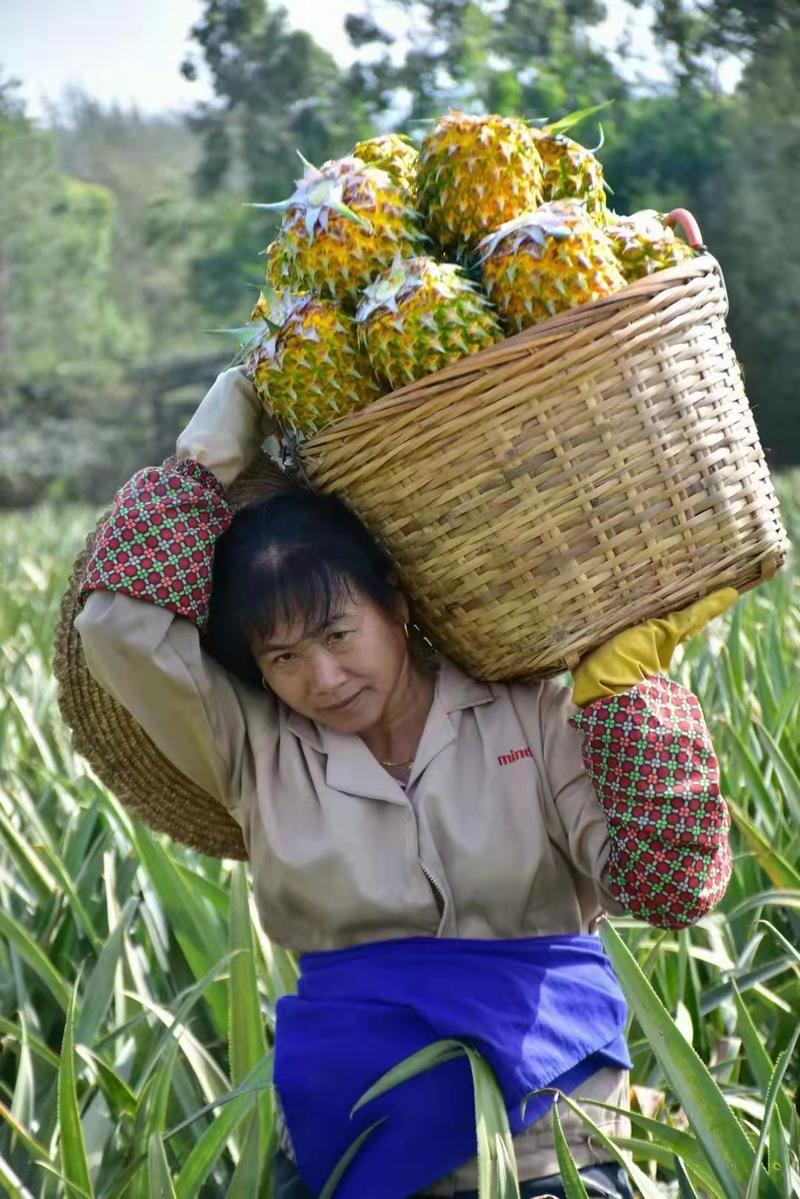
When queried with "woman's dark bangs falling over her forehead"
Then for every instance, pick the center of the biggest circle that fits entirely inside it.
(293, 591)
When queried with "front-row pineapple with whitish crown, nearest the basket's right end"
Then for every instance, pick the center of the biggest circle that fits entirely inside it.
(546, 262)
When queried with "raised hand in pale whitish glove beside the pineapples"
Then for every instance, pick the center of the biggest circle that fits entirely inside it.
(228, 429)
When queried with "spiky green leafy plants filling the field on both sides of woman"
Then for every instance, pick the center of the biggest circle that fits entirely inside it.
(137, 991)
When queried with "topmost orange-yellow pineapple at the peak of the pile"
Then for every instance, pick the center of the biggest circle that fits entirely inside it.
(476, 173)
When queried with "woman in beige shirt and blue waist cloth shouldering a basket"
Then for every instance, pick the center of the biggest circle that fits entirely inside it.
(438, 849)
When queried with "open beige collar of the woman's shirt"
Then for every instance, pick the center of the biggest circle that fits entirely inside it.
(352, 768)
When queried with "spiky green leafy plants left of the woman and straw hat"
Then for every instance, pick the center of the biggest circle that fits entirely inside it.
(133, 1049)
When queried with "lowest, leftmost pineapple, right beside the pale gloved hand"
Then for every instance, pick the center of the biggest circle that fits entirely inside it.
(310, 370)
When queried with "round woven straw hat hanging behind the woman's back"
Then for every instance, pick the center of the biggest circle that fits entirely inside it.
(117, 748)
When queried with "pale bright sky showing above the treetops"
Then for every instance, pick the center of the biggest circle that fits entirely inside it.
(131, 52)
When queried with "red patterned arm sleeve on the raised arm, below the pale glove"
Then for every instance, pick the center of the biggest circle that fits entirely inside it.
(158, 545)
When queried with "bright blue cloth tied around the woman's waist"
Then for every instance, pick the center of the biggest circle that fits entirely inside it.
(544, 1011)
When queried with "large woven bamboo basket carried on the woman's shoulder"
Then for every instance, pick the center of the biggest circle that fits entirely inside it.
(593, 472)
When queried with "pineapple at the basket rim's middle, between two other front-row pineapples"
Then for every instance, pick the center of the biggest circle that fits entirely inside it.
(419, 316)
